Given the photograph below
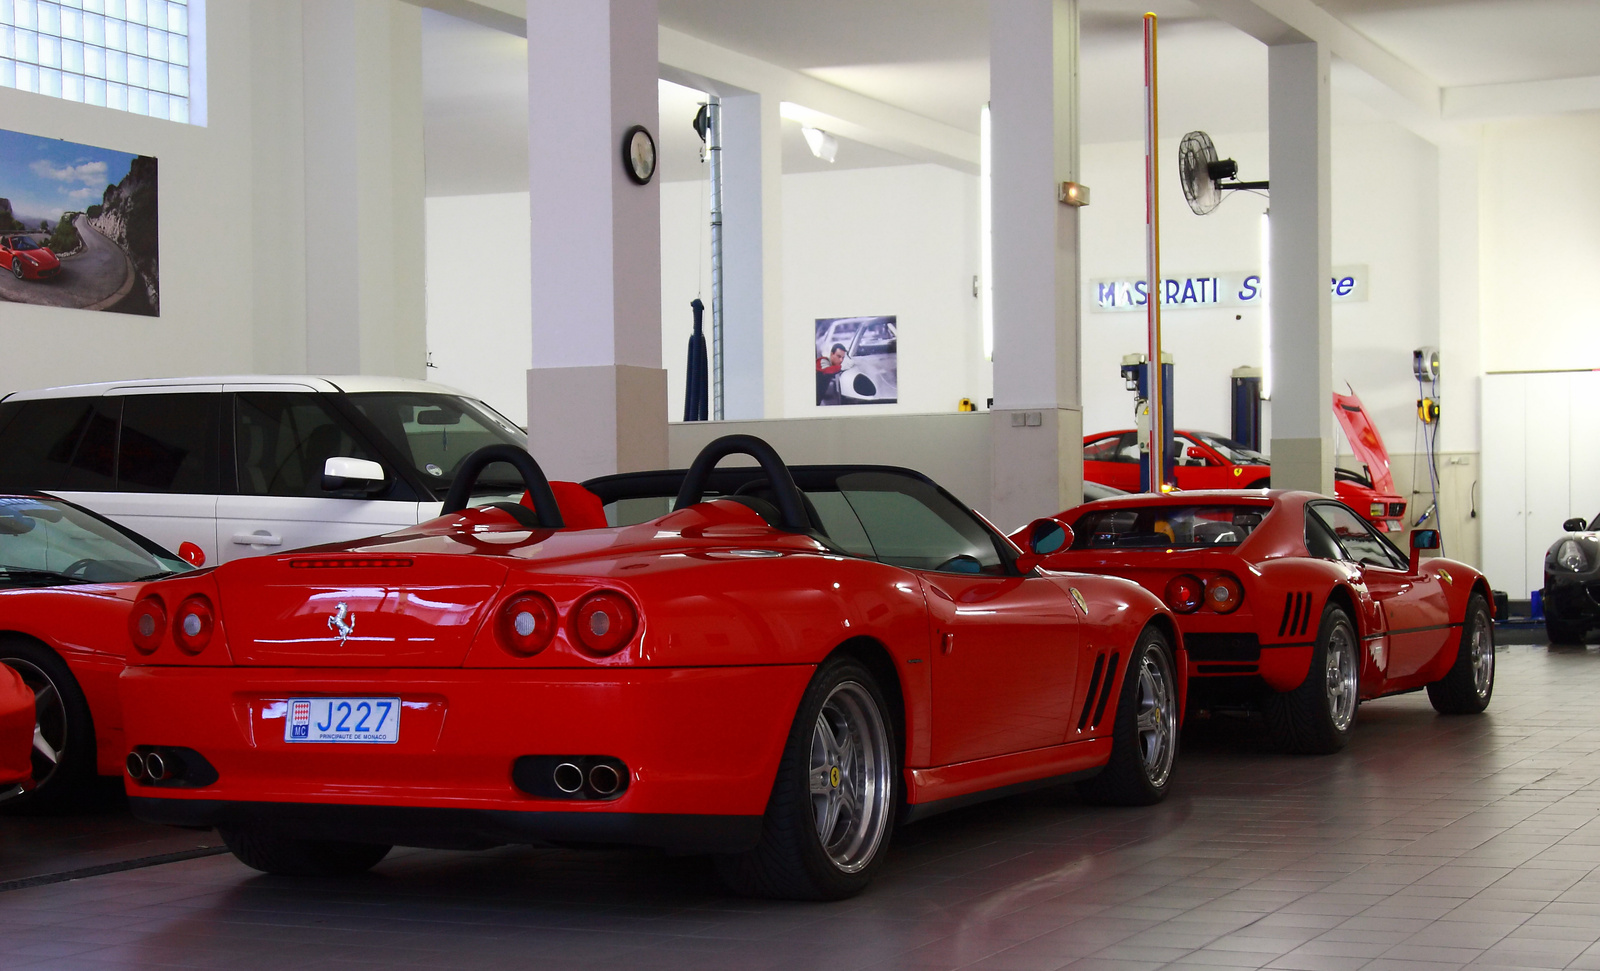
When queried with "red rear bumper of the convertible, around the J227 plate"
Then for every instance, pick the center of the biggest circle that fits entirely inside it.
(702, 749)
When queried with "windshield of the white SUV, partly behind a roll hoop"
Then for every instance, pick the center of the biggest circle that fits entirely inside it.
(436, 433)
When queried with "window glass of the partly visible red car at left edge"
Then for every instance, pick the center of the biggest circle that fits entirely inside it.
(46, 543)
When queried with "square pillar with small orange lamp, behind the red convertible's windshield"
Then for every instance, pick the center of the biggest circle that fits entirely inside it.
(1039, 415)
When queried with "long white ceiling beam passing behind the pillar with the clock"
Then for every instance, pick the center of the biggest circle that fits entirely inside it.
(710, 68)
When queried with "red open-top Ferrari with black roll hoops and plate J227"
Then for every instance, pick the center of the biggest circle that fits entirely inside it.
(764, 663)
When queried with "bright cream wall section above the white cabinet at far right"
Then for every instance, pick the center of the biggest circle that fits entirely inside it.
(1542, 244)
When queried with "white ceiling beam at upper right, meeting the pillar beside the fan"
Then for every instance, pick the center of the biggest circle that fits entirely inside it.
(1294, 22)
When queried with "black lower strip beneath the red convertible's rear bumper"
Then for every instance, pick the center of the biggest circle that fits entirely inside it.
(462, 829)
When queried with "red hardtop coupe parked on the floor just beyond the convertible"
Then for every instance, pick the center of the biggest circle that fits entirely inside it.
(1295, 602)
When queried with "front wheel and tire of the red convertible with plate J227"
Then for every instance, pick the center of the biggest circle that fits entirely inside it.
(1145, 732)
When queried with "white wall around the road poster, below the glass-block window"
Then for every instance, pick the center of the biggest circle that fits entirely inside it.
(231, 273)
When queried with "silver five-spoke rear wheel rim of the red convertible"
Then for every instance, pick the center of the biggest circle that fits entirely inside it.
(852, 777)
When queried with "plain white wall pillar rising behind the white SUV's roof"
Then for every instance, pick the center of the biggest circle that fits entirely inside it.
(364, 188)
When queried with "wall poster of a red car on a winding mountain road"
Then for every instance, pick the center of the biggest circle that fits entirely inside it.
(79, 226)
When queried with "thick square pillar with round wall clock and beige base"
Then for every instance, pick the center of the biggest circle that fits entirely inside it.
(598, 396)
